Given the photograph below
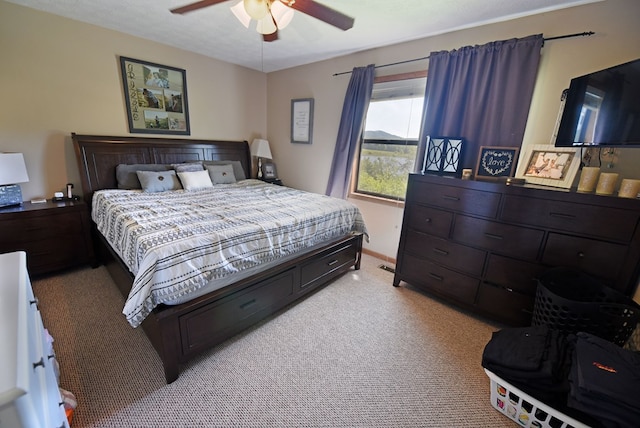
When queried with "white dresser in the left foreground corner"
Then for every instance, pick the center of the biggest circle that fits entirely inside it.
(29, 394)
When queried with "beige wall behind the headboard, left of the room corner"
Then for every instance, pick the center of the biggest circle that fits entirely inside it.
(61, 76)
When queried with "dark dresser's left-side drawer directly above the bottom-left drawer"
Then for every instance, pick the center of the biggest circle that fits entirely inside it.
(456, 256)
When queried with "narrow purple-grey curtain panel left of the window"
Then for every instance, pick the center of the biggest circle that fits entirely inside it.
(354, 110)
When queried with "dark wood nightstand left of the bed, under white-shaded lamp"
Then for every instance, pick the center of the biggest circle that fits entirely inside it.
(55, 235)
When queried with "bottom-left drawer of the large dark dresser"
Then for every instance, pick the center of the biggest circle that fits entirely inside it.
(430, 276)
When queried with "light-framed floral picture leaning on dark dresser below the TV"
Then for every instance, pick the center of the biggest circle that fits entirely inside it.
(551, 166)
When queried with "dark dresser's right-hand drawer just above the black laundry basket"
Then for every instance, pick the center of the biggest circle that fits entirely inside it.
(602, 259)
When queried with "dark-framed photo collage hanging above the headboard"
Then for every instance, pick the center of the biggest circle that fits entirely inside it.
(156, 97)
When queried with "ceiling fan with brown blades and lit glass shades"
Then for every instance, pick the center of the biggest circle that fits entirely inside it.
(274, 15)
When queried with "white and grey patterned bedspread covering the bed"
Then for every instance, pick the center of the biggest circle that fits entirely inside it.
(176, 242)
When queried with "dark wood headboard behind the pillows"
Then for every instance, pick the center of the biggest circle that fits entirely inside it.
(98, 156)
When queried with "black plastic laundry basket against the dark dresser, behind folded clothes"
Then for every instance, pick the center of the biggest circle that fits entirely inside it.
(572, 301)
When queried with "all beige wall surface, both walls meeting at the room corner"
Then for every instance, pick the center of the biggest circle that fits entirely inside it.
(61, 76)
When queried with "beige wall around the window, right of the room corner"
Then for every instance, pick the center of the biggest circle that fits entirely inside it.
(307, 166)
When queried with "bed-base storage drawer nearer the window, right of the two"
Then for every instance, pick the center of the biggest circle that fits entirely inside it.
(335, 261)
